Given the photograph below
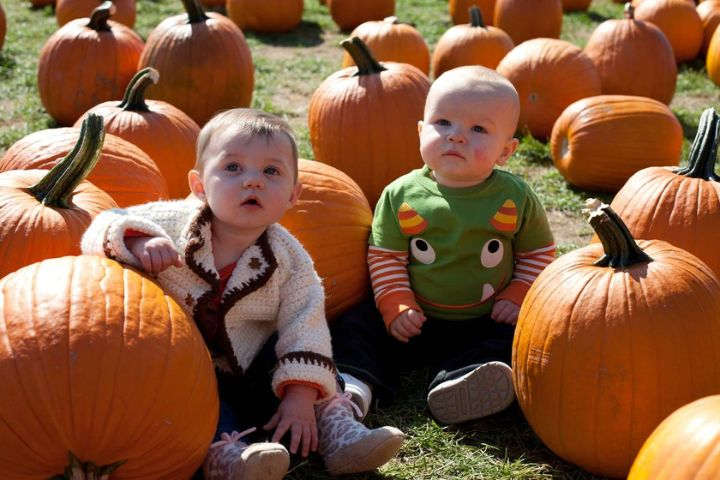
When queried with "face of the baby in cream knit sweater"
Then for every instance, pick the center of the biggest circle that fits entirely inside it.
(248, 182)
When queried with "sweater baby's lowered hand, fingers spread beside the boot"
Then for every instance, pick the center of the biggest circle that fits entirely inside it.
(297, 414)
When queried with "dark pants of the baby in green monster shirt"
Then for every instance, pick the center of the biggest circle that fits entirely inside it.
(363, 348)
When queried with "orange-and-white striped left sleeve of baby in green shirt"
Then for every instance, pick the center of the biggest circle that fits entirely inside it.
(391, 282)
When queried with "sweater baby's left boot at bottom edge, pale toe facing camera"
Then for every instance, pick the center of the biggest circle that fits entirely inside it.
(231, 459)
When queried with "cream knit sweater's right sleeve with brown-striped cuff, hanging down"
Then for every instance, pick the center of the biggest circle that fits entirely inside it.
(303, 349)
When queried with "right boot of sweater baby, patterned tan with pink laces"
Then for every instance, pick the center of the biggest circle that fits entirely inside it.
(348, 446)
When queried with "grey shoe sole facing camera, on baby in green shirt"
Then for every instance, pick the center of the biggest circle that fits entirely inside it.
(481, 392)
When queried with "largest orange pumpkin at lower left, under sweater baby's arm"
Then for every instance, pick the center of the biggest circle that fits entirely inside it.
(96, 361)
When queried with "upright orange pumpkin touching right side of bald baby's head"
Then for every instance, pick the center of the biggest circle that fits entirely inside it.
(549, 75)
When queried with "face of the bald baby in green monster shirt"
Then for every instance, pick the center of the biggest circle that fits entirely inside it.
(465, 133)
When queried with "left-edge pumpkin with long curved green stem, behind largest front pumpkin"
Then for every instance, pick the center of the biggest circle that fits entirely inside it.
(44, 214)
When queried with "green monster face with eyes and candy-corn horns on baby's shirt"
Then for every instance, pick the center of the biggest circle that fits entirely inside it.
(459, 264)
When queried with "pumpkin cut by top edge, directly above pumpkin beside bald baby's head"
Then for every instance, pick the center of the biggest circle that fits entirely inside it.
(526, 19)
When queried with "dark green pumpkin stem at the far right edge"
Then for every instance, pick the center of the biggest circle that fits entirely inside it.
(703, 153)
